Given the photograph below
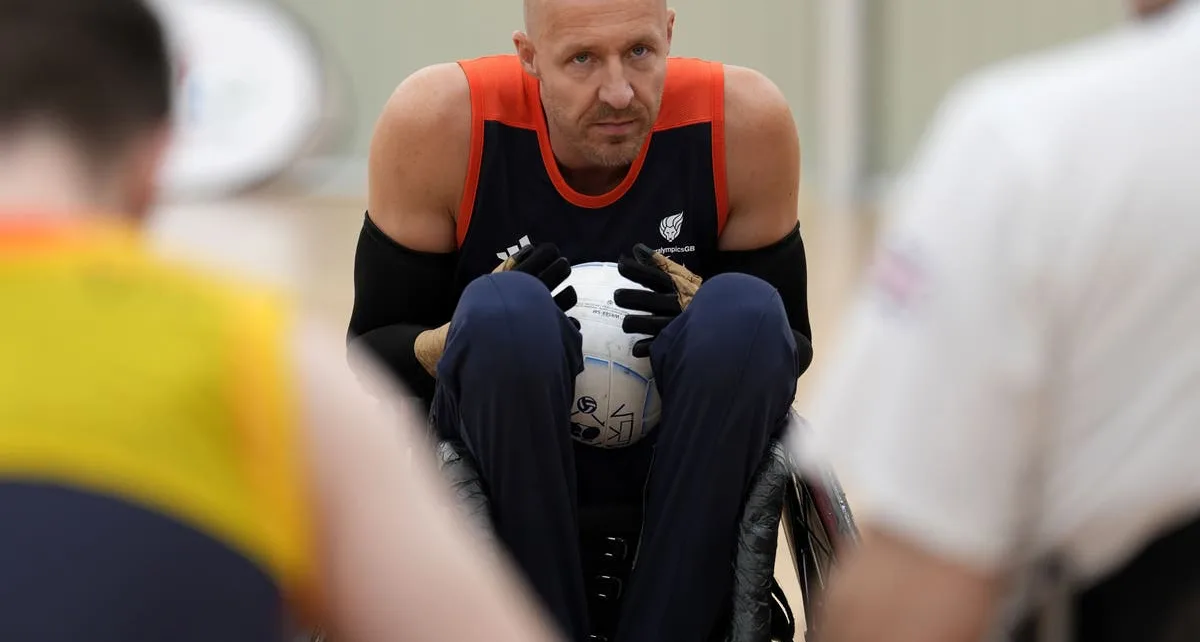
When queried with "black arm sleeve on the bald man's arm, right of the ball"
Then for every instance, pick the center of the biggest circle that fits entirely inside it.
(782, 265)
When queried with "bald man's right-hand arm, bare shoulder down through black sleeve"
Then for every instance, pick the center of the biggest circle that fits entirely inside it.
(761, 236)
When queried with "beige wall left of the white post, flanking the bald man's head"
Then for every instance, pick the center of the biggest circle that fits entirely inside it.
(379, 43)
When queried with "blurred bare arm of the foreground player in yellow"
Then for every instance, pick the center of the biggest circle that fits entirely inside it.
(397, 561)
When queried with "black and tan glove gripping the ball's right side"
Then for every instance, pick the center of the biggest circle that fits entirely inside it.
(671, 285)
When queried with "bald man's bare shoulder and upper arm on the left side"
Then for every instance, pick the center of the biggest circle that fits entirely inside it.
(419, 158)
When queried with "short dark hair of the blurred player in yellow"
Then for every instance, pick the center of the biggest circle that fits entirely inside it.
(97, 69)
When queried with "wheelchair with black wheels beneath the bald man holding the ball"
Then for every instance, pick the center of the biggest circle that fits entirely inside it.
(813, 514)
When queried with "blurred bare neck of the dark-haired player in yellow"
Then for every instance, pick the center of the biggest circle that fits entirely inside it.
(41, 176)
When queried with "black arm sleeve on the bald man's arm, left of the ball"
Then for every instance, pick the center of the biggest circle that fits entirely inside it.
(399, 293)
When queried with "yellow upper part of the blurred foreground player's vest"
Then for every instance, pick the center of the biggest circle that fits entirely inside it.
(131, 376)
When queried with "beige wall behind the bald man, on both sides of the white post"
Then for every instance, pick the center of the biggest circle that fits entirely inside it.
(916, 50)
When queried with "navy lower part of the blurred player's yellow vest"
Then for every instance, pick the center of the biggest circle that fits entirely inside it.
(82, 566)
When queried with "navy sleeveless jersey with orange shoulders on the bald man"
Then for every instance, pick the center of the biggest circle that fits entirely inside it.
(674, 199)
